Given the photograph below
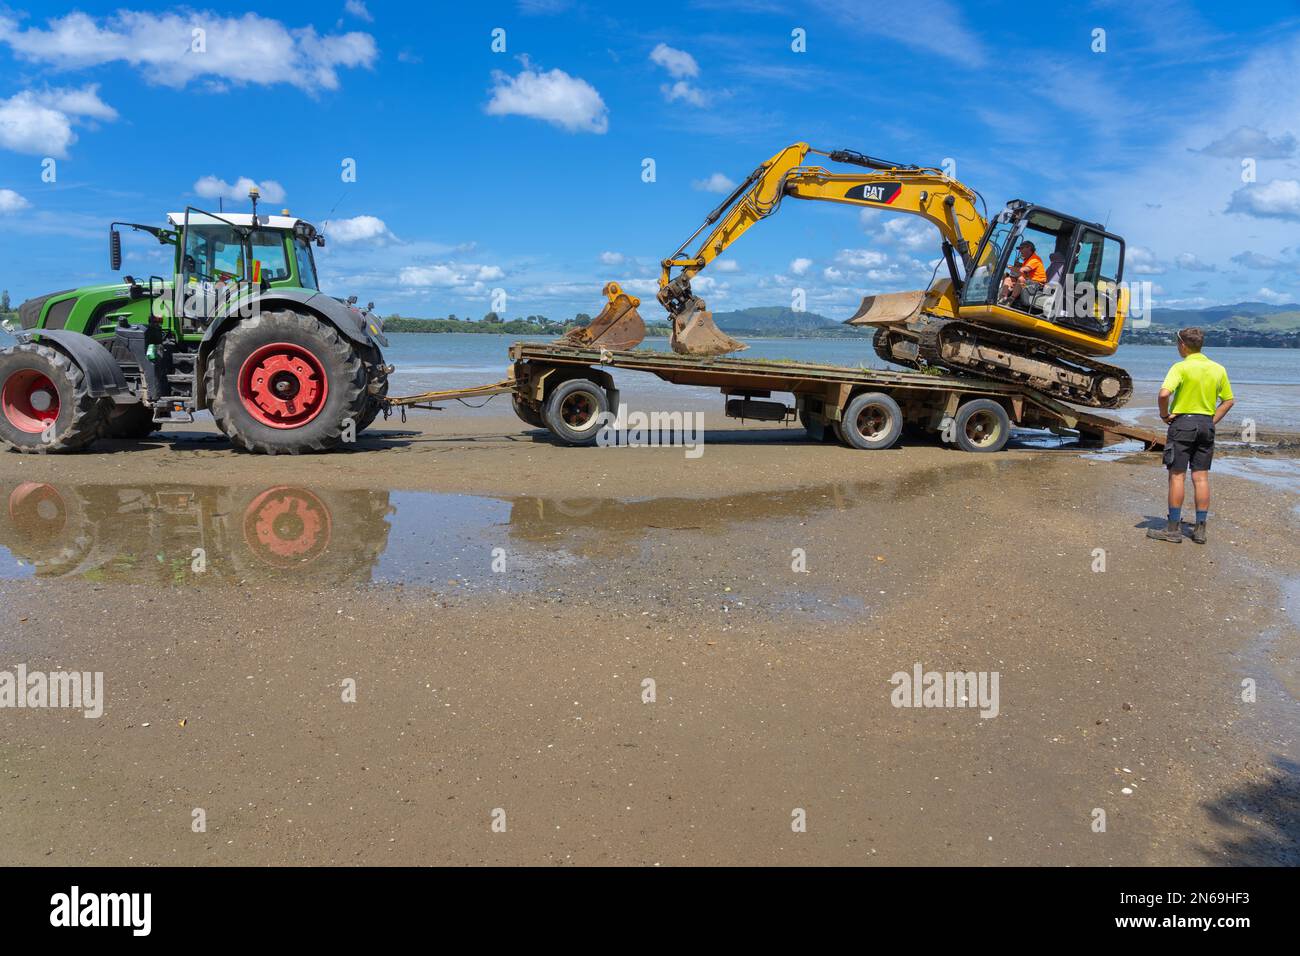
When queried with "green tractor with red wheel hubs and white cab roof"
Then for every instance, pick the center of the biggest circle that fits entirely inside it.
(241, 330)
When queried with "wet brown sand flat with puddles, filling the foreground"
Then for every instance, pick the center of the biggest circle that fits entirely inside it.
(523, 690)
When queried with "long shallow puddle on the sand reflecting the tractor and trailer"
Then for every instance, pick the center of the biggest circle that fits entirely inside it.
(213, 537)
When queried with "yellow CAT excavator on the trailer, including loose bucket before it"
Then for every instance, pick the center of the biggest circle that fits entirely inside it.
(969, 321)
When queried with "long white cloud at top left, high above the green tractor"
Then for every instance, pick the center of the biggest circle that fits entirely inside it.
(237, 50)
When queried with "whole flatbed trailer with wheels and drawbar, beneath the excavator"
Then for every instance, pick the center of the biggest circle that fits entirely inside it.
(565, 388)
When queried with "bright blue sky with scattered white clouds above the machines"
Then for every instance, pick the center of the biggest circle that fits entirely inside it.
(523, 170)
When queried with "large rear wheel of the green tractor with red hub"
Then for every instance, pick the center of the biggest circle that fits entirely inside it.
(287, 383)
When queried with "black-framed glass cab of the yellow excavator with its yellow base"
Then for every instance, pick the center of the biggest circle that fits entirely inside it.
(1078, 297)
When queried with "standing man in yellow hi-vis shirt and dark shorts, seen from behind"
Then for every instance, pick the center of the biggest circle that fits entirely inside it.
(1202, 397)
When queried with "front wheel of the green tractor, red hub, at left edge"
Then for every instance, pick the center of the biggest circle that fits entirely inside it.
(45, 404)
